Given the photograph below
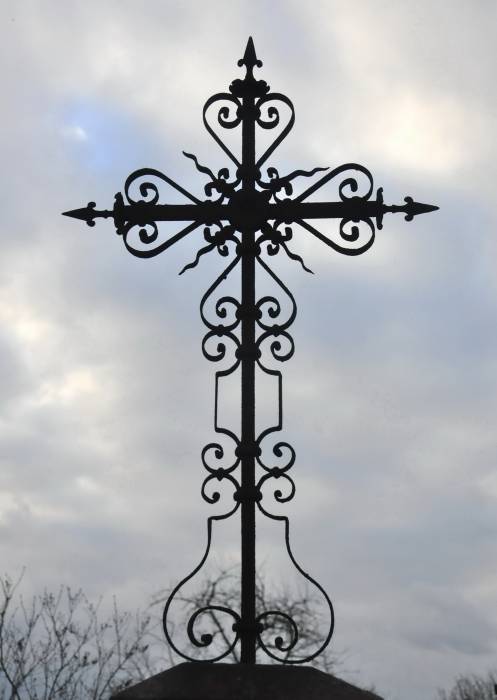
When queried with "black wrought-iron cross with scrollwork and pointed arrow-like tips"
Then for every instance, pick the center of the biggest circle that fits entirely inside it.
(251, 214)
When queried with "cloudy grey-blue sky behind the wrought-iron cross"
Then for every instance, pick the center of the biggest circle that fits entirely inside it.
(391, 398)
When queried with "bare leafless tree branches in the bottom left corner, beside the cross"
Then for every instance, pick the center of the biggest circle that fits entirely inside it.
(57, 647)
